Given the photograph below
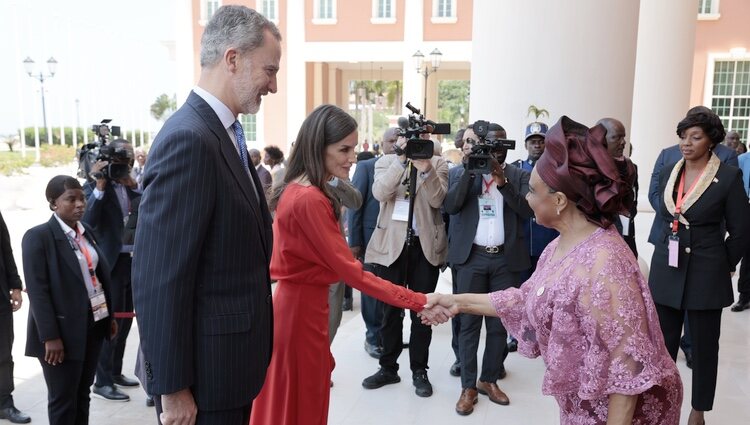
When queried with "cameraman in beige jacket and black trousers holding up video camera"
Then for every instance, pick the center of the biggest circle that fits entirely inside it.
(417, 265)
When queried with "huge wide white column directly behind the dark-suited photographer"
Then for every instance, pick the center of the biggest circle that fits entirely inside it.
(573, 57)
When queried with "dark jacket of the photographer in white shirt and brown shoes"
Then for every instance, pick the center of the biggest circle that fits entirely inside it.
(461, 203)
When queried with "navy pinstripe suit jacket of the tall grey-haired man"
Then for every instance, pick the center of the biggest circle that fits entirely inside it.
(201, 285)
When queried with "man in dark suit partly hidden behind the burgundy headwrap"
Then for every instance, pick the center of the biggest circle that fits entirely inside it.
(616, 148)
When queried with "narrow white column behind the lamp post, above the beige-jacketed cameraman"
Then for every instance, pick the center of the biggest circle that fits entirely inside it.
(413, 89)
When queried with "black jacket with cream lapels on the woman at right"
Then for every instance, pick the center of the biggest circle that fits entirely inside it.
(702, 281)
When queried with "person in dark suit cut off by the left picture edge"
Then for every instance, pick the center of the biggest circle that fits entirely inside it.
(10, 302)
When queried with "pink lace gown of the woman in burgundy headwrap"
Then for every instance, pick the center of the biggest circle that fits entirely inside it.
(591, 317)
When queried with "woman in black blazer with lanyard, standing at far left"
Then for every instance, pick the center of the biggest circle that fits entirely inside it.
(67, 282)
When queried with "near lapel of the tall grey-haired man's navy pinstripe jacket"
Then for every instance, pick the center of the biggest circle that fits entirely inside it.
(232, 160)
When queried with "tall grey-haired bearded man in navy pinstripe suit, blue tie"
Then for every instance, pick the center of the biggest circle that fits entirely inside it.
(201, 283)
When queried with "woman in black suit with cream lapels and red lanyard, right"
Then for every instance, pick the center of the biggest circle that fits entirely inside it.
(691, 267)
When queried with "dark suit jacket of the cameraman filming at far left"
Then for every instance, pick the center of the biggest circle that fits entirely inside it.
(105, 217)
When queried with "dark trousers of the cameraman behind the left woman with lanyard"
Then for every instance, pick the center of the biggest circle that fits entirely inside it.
(121, 297)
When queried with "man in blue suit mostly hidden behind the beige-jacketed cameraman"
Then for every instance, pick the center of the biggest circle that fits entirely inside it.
(362, 222)
